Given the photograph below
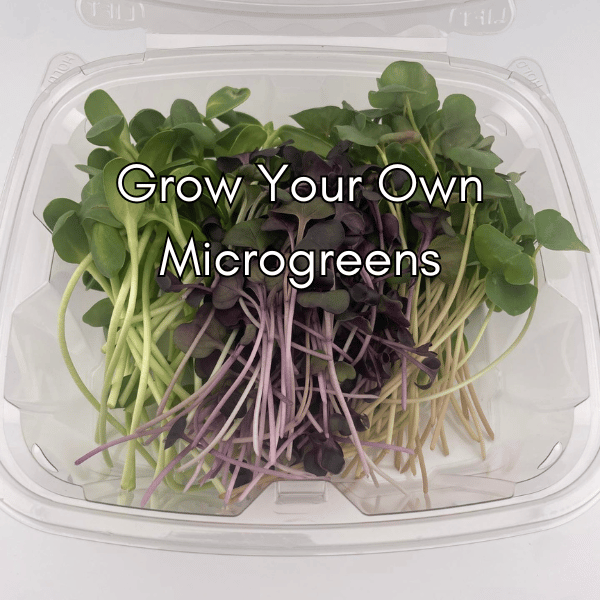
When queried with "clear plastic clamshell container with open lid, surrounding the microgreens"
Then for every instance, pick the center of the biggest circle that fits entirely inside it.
(543, 401)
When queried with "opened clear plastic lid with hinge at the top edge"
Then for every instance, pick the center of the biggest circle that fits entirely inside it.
(424, 19)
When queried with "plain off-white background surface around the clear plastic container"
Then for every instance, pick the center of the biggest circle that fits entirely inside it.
(558, 564)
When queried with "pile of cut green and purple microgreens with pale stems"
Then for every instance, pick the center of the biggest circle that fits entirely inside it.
(240, 380)
